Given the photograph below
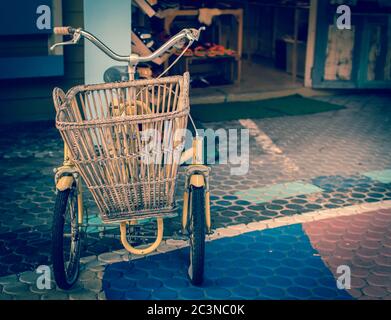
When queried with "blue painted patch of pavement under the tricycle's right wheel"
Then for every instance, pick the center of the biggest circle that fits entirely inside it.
(271, 264)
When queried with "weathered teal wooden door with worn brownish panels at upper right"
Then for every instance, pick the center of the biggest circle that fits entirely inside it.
(357, 57)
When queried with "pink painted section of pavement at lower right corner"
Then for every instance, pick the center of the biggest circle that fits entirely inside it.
(362, 242)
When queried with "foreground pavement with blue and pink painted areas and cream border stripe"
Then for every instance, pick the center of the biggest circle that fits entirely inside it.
(279, 259)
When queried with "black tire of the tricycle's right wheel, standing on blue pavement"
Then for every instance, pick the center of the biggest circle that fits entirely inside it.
(197, 235)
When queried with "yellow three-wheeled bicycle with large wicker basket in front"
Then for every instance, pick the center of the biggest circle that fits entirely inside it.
(125, 140)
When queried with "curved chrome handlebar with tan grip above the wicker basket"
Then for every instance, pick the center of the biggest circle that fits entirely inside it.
(190, 34)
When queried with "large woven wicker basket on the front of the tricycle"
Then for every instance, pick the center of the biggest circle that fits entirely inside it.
(105, 126)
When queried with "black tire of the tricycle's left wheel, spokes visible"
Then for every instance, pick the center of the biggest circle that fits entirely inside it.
(66, 269)
